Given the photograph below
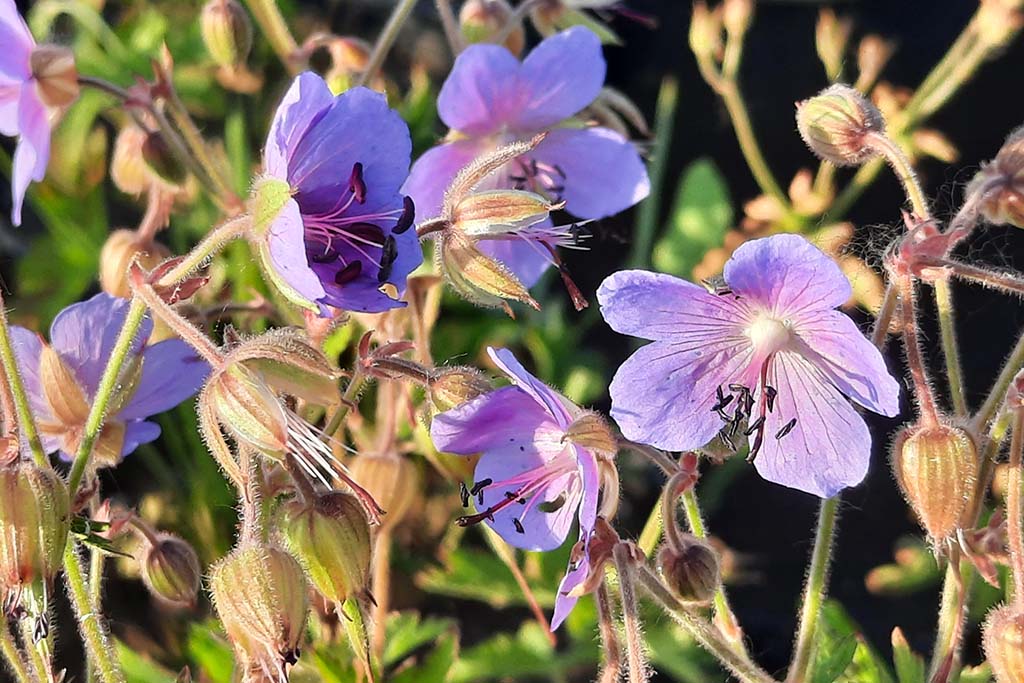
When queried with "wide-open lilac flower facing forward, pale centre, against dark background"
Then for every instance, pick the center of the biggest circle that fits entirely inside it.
(766, 355)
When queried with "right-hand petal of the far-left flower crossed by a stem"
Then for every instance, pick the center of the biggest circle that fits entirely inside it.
(172, 373)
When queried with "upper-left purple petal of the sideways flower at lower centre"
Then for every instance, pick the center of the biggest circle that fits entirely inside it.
(505, 416)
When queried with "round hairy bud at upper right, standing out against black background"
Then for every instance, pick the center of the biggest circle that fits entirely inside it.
(837, 124)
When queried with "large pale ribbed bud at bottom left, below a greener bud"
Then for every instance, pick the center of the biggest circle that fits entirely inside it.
(263, 599)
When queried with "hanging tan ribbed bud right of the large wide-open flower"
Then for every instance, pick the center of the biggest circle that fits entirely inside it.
(936, 468)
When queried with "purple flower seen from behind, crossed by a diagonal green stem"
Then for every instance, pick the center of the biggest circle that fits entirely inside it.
(158, 377)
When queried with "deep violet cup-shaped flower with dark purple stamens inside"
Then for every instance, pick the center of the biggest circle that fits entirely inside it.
(346, 231)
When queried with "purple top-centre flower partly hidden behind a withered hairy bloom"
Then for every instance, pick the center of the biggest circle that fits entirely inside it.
(491, 100)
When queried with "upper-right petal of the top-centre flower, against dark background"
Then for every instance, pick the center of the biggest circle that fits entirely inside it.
(561, 77)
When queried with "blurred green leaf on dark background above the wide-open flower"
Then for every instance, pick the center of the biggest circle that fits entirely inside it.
(701, 218)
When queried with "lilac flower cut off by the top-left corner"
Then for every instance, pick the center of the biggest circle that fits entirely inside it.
(35, 82)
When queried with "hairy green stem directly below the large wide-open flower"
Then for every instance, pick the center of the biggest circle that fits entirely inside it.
(815, 592)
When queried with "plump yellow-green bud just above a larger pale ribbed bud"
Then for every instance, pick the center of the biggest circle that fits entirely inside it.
(331, 536)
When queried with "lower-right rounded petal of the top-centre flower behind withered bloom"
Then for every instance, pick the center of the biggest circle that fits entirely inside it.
(604, 172)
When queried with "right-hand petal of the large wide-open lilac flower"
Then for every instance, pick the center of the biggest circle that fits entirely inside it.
(850, 362)
